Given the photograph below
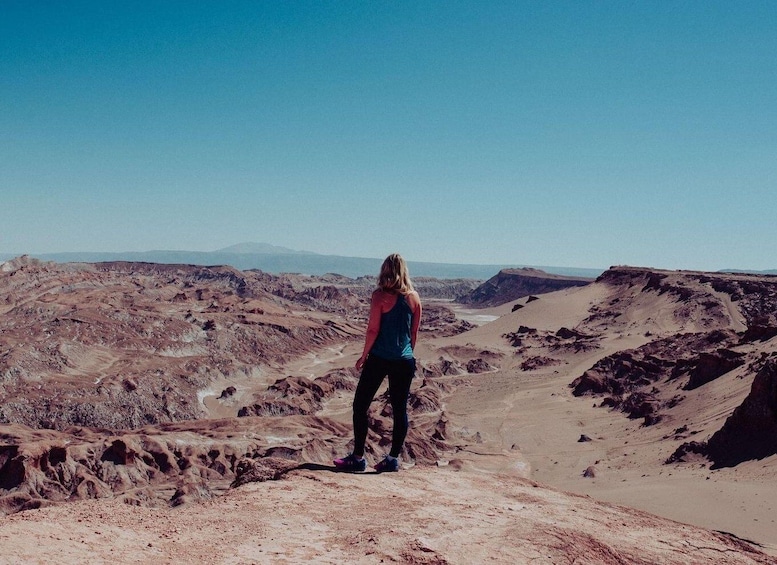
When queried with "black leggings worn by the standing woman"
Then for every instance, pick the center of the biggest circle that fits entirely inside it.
(400, 374)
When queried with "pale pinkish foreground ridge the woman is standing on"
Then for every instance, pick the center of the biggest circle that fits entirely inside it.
(421, 515)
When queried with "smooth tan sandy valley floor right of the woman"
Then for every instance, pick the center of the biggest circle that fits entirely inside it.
(628, 462)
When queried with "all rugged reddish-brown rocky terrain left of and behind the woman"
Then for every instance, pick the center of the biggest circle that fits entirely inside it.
(97, 360)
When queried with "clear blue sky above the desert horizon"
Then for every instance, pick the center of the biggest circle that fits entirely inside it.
(579, 134)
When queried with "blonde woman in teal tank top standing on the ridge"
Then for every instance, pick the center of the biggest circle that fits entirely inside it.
(395, 314)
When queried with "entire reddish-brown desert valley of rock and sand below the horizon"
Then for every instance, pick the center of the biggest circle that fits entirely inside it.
(179, 413)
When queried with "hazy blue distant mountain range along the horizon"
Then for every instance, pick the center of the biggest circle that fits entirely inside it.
(273, 259)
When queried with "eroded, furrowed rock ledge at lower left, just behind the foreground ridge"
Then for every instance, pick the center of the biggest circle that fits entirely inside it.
(192, 460)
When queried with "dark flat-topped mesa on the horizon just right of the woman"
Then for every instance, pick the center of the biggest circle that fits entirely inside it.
(512, 284)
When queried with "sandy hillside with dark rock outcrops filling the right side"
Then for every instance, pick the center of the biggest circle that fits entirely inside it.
(601, 388)
